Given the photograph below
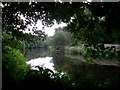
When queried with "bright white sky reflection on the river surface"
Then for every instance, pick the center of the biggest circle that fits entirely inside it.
(44, 62)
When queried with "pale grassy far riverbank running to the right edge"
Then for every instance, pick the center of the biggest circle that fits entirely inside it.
(79, 53)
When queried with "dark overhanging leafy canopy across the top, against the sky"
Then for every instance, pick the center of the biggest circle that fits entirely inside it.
(92, 22)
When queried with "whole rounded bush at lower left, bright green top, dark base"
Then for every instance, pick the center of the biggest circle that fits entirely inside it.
(14, 67)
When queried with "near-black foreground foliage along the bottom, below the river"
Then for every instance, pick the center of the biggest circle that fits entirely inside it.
(40, 78)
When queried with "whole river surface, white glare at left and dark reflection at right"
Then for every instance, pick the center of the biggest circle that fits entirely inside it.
(75, 67)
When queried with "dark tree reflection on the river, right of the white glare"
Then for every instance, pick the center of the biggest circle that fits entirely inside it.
(83, 74)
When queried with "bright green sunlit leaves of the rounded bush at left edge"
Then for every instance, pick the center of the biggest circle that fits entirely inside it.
(14, 63)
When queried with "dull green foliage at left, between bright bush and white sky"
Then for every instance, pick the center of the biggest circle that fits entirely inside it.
(12, 41)
